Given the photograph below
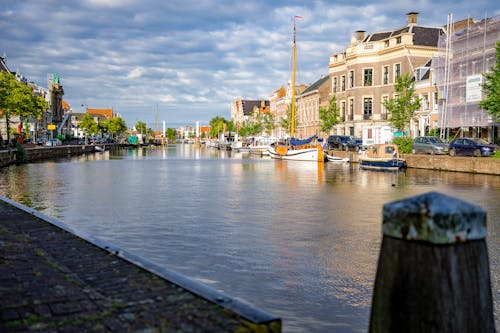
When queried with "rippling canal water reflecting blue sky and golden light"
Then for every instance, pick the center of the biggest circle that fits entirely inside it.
(296, 239)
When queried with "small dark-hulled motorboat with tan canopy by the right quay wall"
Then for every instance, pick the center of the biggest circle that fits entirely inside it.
(382, 157)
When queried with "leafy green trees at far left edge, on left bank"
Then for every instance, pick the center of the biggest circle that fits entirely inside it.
(17, 98)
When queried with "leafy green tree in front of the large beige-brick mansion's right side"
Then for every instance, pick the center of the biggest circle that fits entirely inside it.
(402, 107)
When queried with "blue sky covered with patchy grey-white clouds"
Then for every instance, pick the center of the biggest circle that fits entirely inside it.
(186, 61)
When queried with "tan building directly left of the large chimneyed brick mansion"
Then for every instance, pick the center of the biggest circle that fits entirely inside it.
(314, 97)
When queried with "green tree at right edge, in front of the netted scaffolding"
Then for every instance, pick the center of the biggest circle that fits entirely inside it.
(492, 88)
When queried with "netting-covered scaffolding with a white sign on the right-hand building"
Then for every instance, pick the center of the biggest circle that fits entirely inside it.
(465, 52)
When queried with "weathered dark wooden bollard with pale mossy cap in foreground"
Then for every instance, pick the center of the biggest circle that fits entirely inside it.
(433, 272)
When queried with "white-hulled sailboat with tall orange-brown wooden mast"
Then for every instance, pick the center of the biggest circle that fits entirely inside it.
(294, 149)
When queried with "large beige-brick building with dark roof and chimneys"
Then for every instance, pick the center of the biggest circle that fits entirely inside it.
(363, 76)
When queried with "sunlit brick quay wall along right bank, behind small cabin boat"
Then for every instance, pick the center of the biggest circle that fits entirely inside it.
(480, 165)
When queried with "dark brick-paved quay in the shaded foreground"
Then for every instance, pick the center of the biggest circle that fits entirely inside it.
(51, 280)
